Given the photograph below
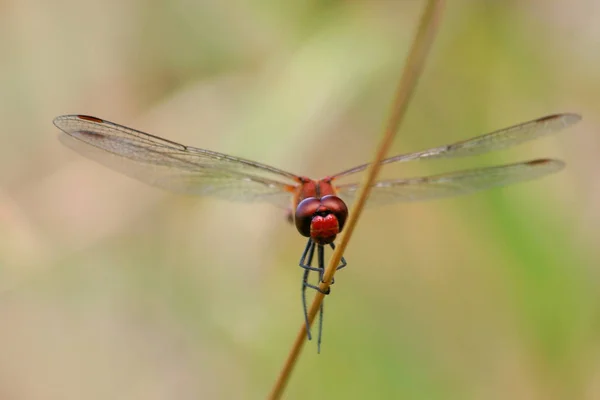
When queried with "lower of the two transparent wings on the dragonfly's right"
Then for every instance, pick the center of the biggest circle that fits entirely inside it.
(452, 184)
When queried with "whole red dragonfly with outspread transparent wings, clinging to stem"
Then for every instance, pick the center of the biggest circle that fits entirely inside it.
(318, 208)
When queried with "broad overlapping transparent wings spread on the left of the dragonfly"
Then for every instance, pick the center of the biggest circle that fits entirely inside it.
(173, 166)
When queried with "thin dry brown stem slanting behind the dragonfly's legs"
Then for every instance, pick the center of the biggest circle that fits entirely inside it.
(410, 75)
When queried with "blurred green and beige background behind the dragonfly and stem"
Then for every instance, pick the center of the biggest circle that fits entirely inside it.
(111, 289)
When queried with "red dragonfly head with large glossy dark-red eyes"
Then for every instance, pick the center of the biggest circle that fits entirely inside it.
(321, 219)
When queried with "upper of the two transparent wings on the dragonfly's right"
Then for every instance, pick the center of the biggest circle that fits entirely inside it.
(497, 140)
